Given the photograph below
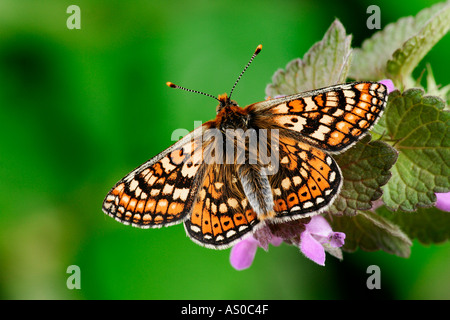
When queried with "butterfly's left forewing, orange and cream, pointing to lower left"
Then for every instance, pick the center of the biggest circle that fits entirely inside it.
(162, 190)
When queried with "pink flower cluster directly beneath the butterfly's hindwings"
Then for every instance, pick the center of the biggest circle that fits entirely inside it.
(313, 239)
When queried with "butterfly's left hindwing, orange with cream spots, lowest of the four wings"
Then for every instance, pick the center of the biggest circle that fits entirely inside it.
(221, 214)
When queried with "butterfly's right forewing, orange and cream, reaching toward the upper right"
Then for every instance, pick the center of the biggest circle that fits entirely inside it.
(331, 118)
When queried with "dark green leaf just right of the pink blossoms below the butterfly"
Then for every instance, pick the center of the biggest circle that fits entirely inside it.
(371, 232)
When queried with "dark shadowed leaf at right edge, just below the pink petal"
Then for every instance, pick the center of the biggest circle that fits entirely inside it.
(428, 225)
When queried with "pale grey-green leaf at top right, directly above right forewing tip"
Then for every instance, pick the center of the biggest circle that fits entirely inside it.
(369, 62)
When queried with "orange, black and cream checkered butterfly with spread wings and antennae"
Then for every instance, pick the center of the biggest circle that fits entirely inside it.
(221, 198)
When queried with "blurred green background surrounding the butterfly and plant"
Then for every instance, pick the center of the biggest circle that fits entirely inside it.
(79, 109)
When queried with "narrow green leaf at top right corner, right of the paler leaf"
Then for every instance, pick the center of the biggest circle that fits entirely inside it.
(405, 59)
